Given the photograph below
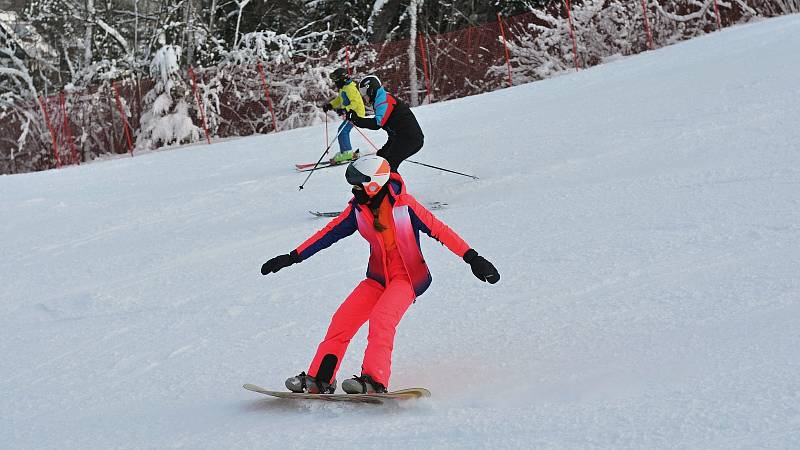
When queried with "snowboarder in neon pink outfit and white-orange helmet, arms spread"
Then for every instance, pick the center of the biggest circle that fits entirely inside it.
(390, 220)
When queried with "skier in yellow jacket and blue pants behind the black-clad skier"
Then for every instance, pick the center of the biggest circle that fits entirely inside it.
(348, 100)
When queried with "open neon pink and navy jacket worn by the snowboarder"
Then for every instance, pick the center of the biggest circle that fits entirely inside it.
(409, 217)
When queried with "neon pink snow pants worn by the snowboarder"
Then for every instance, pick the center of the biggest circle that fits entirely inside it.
(383, 308)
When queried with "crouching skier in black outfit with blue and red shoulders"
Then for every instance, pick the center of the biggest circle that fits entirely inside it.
(395, 117)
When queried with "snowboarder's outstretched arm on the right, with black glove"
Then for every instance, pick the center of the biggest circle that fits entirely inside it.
(435, 228)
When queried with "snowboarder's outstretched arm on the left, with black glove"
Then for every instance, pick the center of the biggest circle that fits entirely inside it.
(340, 227)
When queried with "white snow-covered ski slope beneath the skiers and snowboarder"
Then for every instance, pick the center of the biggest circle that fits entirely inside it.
(644, 216)
